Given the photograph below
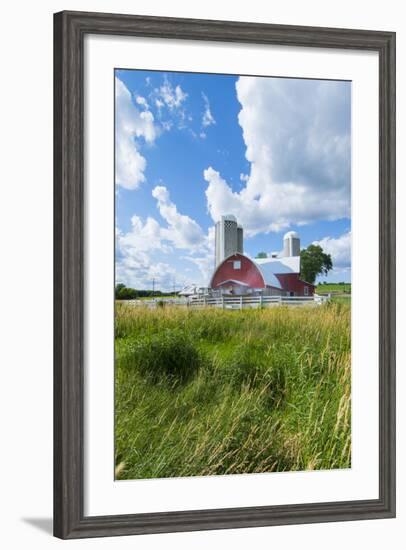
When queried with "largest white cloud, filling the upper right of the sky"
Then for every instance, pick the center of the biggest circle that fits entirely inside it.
(297, 137)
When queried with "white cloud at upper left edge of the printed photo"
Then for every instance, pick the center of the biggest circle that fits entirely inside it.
(131, 125)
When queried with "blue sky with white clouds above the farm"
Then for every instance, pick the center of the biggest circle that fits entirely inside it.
(190, 147)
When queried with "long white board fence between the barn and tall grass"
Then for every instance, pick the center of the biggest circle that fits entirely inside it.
(234, 302)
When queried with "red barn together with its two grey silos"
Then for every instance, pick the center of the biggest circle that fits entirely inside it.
(237, 274)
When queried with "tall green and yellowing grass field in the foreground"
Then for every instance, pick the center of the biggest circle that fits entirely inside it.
(224, 392)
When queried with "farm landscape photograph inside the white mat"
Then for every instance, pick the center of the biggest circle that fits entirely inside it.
(232, 292)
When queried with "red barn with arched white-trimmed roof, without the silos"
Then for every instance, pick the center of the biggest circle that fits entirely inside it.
(280, 276)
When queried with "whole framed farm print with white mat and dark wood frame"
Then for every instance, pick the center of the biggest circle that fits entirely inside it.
(224, 274)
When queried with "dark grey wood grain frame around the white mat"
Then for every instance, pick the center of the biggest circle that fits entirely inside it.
(70, 29)
